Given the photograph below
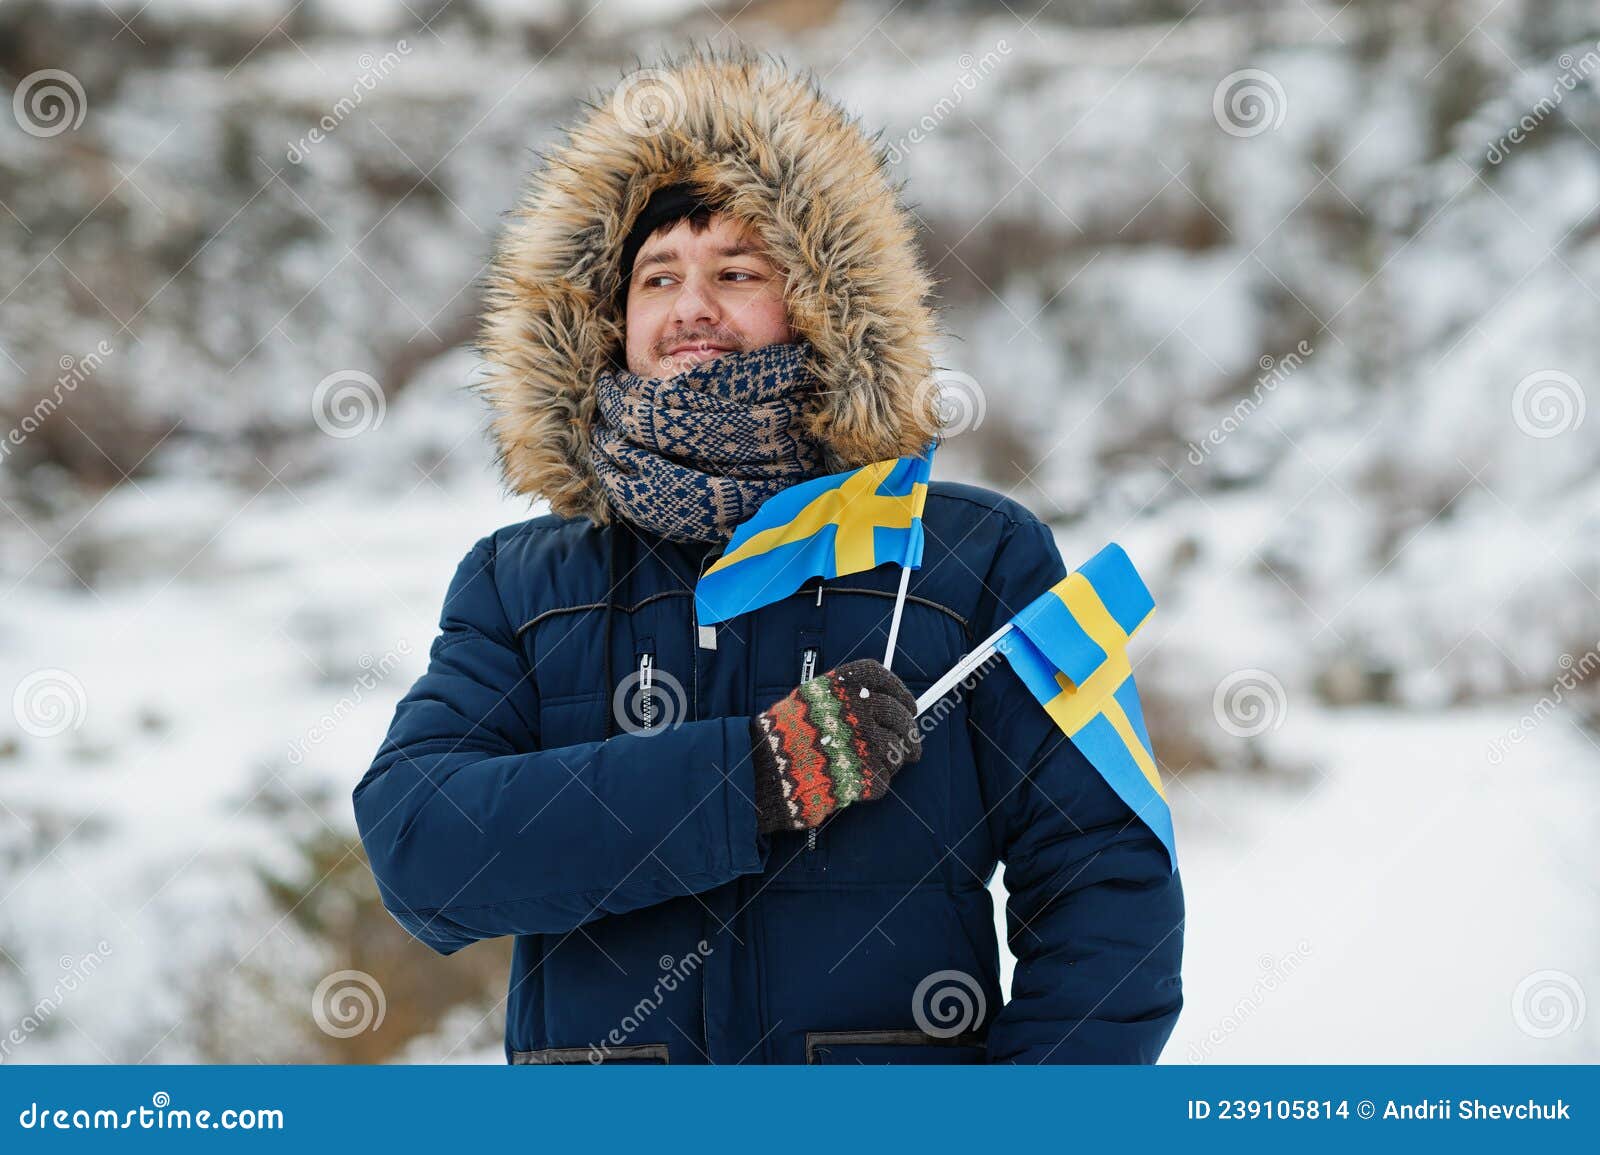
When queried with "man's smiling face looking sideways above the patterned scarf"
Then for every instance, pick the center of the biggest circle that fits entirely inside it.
(697, 297)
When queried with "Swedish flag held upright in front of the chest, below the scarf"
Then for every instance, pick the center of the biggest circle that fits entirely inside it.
(828, 527)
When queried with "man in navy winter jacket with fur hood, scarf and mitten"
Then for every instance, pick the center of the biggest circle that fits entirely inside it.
(734, 844)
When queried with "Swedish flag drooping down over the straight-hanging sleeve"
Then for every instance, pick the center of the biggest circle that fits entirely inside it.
(1070, 647)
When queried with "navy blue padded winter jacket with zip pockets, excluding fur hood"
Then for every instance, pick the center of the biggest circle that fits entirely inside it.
(657, 925)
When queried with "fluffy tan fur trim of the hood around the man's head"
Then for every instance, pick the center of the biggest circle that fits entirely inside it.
(796, 167)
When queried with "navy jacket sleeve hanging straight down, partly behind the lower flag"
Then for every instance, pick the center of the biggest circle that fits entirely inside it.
(1095, 917)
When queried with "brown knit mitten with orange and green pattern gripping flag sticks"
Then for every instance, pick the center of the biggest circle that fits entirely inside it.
(834, 740)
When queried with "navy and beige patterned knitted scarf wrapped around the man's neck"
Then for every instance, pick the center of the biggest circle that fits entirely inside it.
(694, 455)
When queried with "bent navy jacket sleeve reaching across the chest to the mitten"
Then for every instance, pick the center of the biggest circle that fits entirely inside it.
(474, 831)
